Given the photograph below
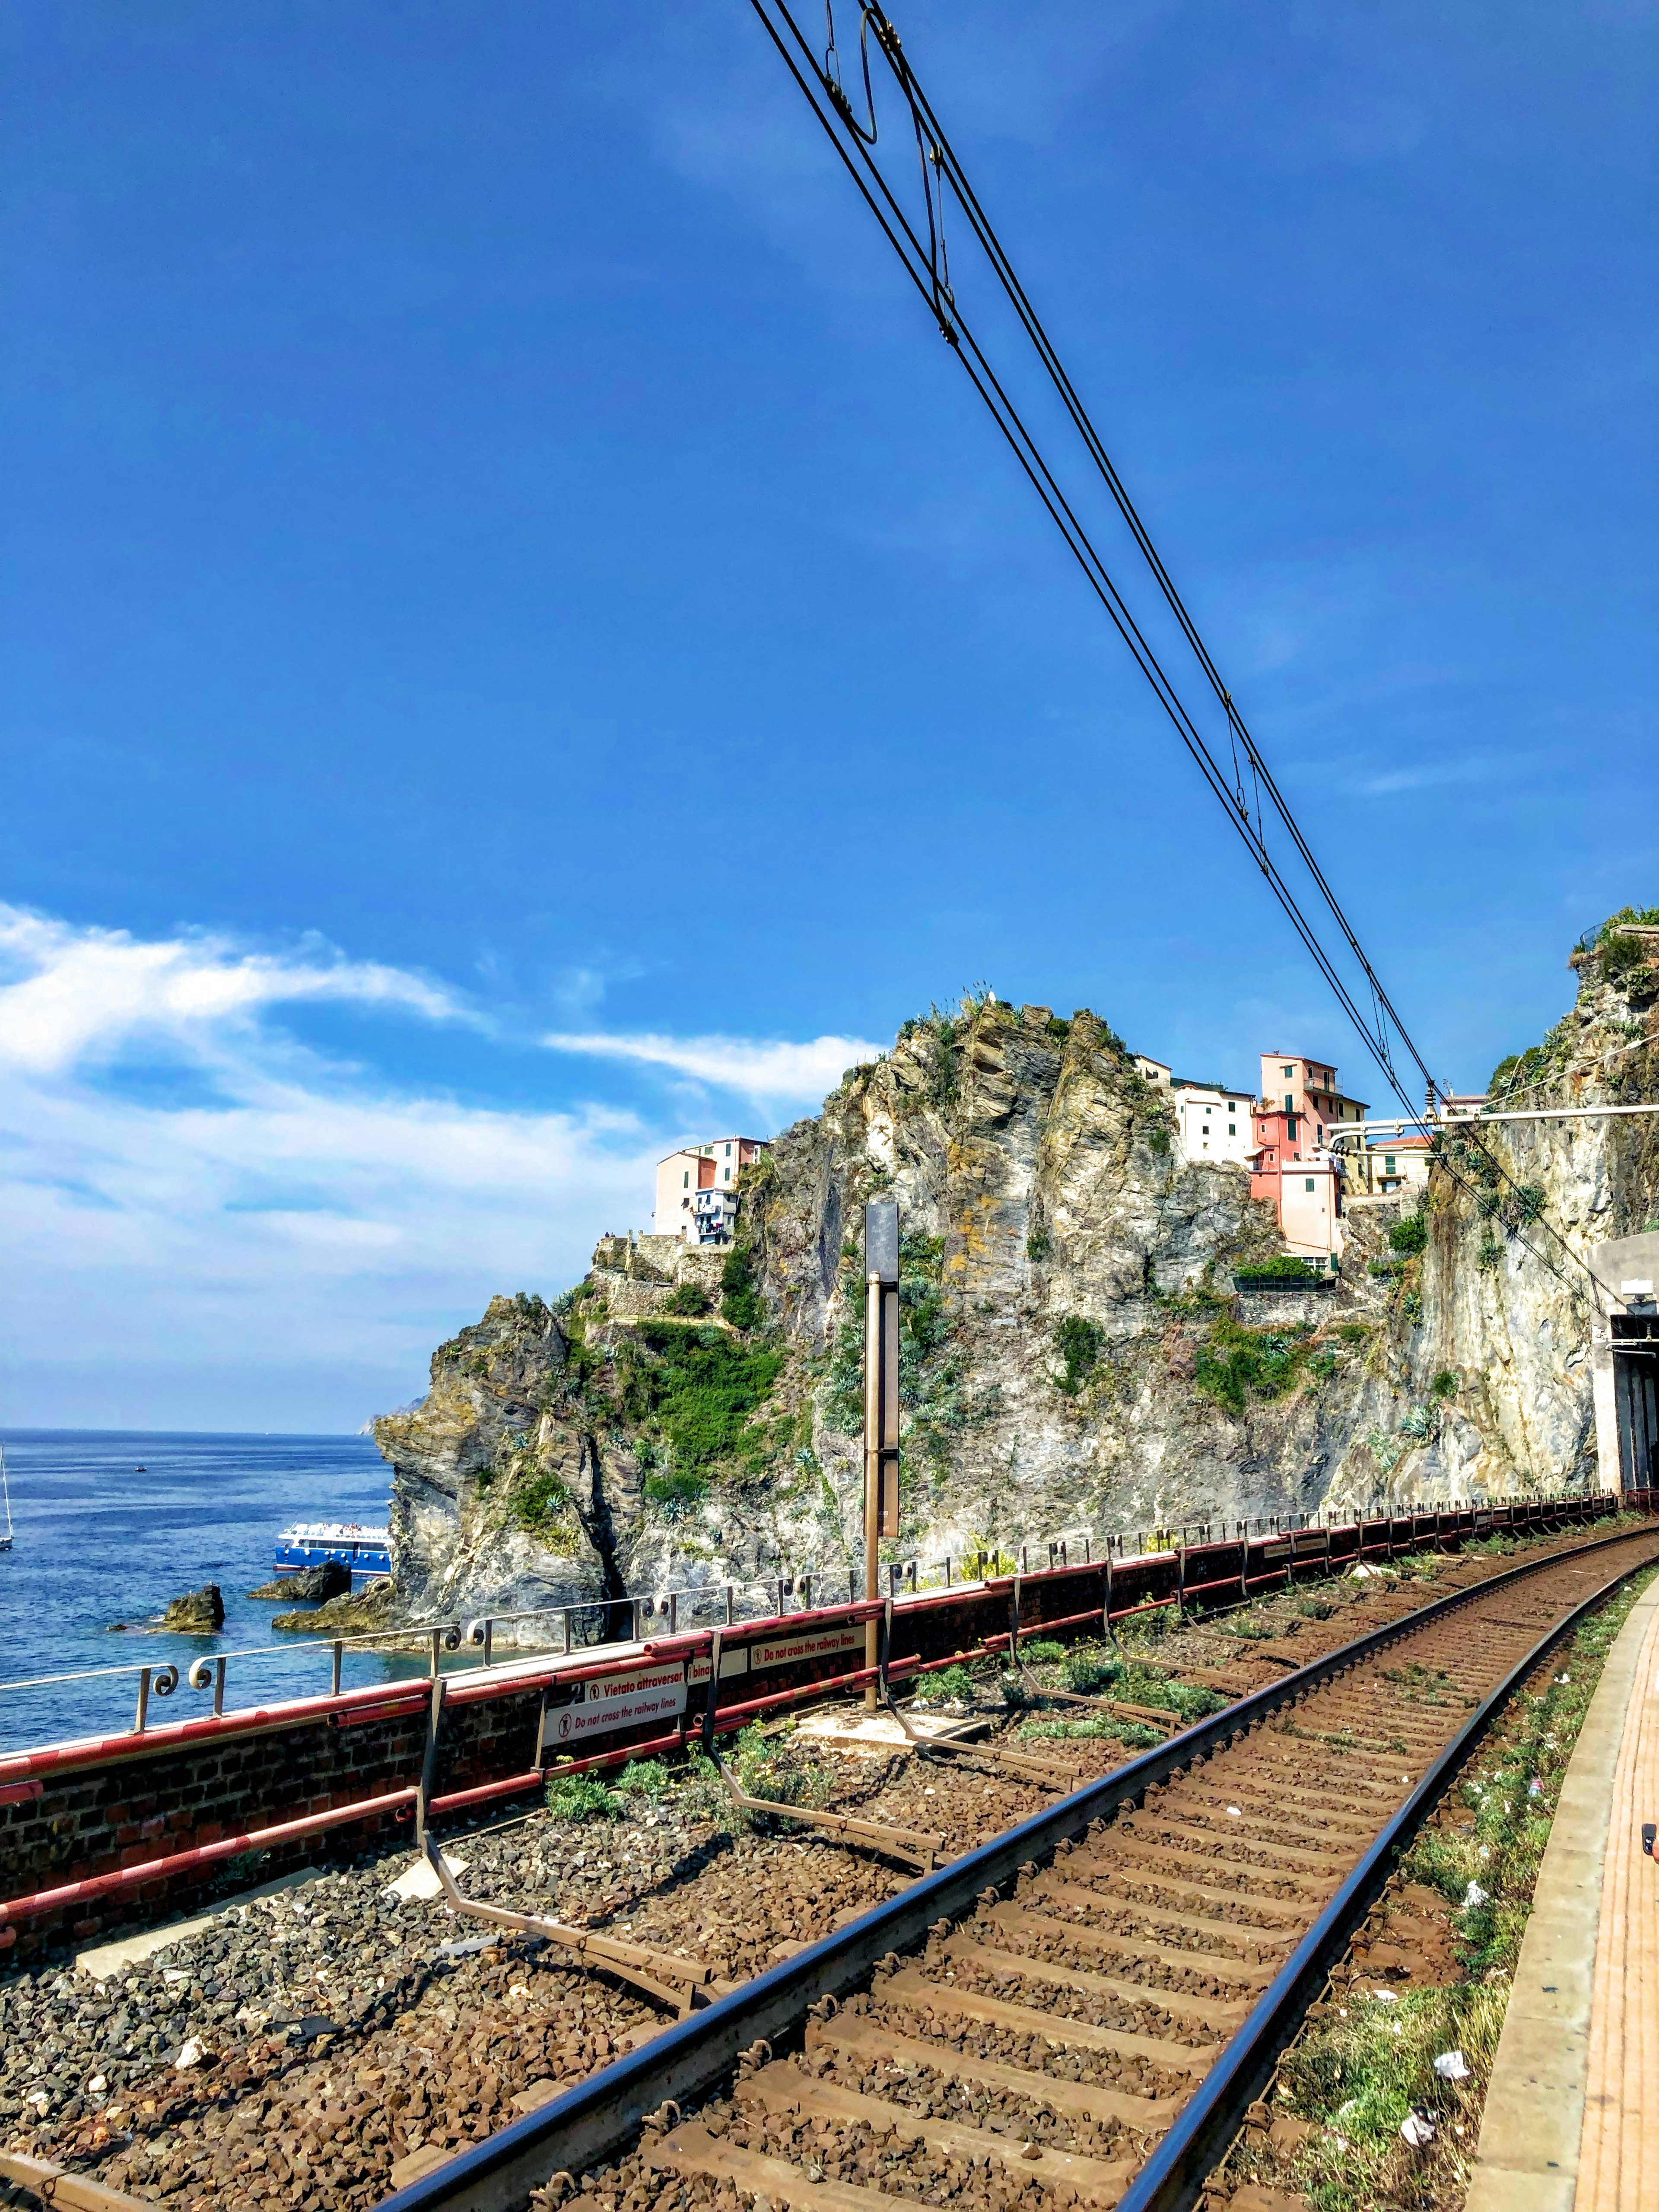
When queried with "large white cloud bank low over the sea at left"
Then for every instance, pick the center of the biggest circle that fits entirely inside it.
(286, 1244)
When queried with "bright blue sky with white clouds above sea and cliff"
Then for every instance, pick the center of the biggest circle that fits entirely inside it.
(494, 554)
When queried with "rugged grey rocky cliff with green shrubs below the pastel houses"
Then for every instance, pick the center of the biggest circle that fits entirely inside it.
(1072, 1346)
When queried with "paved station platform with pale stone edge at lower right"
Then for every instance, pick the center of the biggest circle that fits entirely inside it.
(1574, 2107)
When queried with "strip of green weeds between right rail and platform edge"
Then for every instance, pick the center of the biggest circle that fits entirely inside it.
(1361, 2069)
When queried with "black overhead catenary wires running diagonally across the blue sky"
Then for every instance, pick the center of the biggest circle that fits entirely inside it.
(932, 284)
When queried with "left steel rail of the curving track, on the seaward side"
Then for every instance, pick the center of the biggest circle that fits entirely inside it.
(594, 2120)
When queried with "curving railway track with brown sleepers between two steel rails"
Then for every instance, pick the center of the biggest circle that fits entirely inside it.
(1081, 2012)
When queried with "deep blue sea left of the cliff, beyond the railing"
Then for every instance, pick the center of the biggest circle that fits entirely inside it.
(114, 1523)
